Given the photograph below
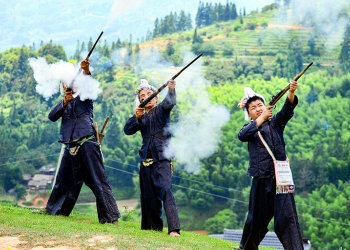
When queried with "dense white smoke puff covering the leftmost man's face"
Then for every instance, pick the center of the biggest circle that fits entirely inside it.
(50, 76)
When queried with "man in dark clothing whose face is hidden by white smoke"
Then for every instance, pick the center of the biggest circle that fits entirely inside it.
(82, 159)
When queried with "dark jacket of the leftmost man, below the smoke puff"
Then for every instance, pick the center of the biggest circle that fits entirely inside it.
(77, 119)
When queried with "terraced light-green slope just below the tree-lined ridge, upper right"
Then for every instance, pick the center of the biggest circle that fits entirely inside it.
(275, 39)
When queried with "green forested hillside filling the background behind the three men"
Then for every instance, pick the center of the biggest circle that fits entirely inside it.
(244, 50)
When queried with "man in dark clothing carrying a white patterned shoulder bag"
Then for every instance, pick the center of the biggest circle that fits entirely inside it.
(264, 203)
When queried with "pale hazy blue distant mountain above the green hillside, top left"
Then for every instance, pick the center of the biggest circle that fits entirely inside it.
(25, 22)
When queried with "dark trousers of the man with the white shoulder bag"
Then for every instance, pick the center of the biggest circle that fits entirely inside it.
(264, 204)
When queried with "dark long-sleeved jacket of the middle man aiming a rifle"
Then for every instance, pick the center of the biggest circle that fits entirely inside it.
(155, 136)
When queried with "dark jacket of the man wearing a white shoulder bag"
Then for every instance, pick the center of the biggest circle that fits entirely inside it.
(260, 162)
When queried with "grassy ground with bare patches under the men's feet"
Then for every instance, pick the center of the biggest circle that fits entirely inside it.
(77, 232)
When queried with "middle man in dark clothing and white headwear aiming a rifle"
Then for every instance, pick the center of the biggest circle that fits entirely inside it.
(155, 167)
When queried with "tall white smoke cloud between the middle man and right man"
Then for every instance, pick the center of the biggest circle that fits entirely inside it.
(197, 133)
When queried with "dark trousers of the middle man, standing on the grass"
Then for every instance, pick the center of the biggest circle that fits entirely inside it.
(155, 186)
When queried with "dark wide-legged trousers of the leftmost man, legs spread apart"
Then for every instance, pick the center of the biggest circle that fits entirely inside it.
(85, 167)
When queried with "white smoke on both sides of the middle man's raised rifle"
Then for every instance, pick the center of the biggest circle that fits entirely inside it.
(197, 132)
